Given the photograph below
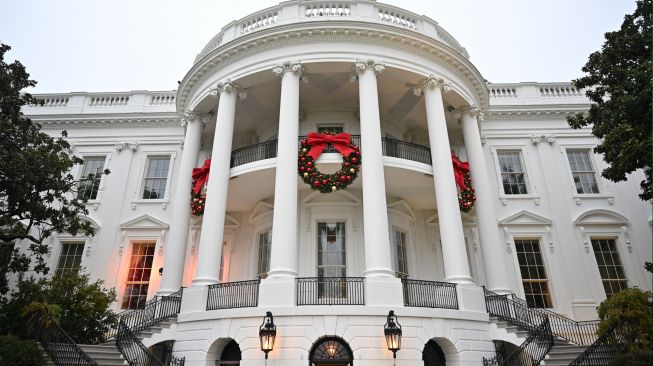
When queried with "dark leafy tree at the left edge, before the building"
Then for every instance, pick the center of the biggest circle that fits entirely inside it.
(37, 191)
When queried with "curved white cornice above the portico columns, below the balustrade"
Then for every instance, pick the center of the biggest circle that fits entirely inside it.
(339, 31)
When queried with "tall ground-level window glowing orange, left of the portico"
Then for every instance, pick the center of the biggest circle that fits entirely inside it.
(138, 276)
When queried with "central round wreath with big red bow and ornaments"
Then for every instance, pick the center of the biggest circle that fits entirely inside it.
(310, 150)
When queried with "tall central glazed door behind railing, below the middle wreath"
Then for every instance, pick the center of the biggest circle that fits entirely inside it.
(331, 258)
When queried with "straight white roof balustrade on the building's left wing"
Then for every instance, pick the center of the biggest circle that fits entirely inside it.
(90, 103)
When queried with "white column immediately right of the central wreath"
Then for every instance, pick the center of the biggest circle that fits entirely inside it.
(378, 258)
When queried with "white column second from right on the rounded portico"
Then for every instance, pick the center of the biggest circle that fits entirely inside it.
(454, 253)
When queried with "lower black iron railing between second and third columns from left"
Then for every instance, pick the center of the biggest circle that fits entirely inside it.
(230, 295)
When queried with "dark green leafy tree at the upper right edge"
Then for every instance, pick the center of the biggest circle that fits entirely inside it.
(618, 81)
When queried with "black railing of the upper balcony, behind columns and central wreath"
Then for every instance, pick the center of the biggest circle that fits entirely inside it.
(391, 148)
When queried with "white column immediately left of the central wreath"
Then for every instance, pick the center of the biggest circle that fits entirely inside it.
(284, 251)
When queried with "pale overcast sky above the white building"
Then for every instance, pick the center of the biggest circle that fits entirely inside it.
(121, 45)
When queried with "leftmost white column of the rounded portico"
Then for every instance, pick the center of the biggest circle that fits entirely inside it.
(175, 250)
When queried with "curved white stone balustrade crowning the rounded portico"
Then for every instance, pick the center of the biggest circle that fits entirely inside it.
(296, 11)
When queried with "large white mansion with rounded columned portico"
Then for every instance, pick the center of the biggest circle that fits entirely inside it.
(545, 224)
